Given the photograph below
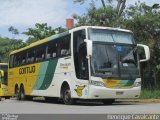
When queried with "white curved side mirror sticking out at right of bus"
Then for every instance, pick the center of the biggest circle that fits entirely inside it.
(147, 52)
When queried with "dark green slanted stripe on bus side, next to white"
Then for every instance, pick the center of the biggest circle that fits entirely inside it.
(49, 74)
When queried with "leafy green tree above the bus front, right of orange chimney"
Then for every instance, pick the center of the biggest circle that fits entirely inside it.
(99, 16)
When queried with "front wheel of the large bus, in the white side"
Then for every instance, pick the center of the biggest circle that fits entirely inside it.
(67, 96)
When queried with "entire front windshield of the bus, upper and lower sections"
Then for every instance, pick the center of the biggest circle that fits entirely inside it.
(112, 57)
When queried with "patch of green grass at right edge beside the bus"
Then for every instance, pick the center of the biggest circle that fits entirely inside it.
(150, 94)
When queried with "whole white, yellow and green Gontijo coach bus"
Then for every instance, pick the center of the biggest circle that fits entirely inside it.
(87, 63)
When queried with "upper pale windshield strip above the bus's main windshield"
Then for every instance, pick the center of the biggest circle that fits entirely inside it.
(103, 35)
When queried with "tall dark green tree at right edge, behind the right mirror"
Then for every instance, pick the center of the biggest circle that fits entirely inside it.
(144, 25)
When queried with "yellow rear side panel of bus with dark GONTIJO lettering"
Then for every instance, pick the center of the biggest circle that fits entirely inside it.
(24, 75)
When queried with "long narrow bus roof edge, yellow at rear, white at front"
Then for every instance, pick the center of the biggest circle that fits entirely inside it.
(65, 33)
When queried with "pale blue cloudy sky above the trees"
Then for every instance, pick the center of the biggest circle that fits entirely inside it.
(23, 14)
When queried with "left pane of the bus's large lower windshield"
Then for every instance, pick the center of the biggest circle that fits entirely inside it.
(103, 60)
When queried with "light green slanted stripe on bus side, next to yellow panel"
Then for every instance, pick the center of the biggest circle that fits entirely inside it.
(41, 75)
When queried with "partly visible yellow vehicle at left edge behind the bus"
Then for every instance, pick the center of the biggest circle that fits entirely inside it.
(4, 80)
